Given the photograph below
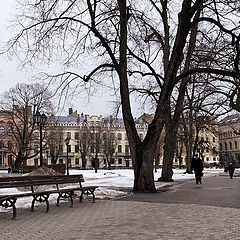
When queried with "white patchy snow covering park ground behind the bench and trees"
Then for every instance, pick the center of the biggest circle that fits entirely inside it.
(111, 183)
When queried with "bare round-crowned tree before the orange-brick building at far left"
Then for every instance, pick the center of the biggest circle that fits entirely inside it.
(21, 103)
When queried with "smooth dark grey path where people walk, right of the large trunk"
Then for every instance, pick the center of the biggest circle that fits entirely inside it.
(219, 191)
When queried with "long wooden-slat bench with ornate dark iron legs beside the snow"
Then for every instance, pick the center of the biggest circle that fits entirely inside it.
(58, 184)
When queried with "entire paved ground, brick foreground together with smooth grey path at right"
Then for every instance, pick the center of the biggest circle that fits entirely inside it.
(186, 211)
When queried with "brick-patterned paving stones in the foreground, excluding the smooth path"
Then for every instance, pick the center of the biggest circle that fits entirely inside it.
(120, 220)
